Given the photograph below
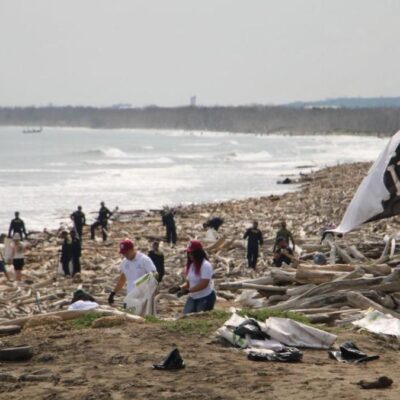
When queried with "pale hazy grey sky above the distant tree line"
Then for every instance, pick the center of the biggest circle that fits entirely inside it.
(161, 52)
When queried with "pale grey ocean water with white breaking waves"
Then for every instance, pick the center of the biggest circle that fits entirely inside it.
(46, 175)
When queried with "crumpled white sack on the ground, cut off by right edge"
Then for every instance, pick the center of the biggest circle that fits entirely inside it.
(377, 322)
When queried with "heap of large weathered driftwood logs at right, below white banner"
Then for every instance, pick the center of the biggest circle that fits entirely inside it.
(334, 293)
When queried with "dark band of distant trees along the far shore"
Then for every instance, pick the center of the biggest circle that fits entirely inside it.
(254, 119)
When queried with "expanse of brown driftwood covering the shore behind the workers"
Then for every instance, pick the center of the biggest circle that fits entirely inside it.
(360, 269)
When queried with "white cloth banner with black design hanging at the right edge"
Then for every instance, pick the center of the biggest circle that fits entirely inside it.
(378, 195)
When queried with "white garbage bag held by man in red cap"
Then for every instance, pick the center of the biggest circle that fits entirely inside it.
(140, 301)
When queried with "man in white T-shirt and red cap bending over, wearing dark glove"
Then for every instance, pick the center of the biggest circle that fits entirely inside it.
(134, 265)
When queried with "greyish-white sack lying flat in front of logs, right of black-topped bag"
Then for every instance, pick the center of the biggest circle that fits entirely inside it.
(293, 333)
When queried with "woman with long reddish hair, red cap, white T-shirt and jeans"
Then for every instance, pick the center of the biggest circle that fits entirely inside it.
(199, 284)
